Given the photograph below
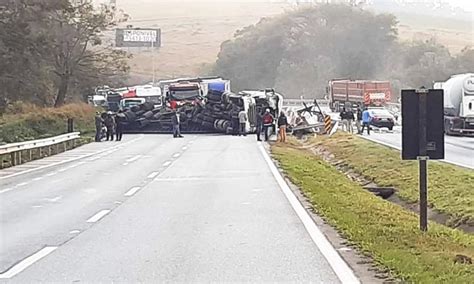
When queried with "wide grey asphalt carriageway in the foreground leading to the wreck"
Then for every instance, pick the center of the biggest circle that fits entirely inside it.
(157, 209)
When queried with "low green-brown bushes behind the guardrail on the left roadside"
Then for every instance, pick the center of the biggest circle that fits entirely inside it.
(28, 122)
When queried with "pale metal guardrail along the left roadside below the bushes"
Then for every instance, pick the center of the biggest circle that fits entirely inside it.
(15, 149)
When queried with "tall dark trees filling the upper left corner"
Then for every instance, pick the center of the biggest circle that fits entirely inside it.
(54, 51)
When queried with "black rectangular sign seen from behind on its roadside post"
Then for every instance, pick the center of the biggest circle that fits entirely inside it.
(422, 136)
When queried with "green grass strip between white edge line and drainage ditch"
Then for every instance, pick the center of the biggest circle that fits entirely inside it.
(379, 228)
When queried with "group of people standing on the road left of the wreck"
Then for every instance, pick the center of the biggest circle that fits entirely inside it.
(108, 126)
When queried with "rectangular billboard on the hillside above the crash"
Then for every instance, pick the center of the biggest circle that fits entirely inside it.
(138, 37)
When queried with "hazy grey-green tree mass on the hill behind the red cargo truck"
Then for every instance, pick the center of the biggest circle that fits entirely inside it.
(298, 52)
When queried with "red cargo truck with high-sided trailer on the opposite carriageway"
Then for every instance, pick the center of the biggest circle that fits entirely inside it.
(358, 93)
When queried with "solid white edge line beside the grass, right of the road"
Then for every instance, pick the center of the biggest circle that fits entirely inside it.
(339, 266)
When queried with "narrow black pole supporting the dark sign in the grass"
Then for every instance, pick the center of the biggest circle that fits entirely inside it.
(423, 178)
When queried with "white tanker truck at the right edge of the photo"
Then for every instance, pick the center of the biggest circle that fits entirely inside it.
(458, 104)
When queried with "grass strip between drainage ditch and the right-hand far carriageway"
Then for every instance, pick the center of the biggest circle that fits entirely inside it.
(450, 188)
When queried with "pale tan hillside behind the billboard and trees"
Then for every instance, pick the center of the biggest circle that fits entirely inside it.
(194, 30)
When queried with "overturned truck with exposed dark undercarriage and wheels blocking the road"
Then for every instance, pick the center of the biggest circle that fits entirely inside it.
(216, 112)
